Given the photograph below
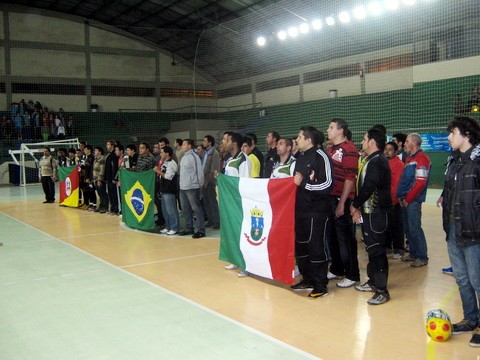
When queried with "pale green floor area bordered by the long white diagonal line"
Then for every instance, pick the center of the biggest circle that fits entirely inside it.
(58, 302)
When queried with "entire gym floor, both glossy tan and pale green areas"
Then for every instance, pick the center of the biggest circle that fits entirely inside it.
(80, 285)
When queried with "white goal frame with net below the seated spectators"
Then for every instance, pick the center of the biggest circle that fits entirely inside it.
(29, 155)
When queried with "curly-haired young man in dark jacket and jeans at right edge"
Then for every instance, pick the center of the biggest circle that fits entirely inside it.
(460, 199)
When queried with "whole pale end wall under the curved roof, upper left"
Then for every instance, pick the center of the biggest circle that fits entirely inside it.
(130, 62)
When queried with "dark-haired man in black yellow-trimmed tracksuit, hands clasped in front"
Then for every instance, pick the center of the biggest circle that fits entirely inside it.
(371, 207)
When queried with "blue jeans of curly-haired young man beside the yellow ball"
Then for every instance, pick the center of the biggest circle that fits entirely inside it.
(466, 268)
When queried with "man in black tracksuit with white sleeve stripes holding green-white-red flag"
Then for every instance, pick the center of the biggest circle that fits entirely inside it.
(314, 178)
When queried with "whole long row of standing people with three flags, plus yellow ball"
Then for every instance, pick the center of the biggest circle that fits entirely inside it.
(315, 190)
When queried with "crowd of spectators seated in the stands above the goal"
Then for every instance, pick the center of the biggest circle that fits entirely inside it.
(30, 121)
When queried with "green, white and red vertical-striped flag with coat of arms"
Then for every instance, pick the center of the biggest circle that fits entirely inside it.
(258, 224)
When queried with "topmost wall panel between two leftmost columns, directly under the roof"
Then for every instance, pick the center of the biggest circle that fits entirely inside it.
(39, 28)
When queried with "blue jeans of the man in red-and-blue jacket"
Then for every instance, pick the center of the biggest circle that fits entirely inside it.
(412, 225)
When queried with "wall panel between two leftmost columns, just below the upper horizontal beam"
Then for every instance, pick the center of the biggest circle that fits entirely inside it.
(47, 63)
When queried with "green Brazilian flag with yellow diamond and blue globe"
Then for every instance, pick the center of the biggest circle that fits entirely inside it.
(137, 191)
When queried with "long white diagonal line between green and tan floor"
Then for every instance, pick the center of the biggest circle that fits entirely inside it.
(180, 297)
